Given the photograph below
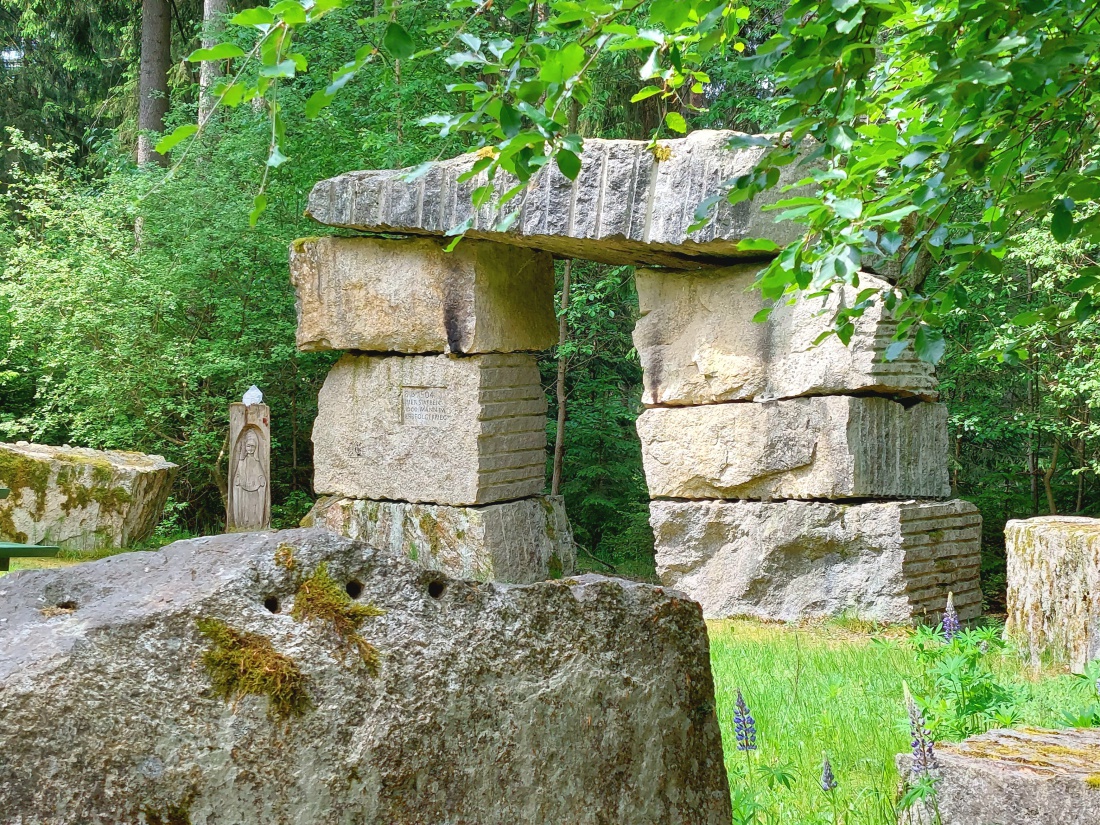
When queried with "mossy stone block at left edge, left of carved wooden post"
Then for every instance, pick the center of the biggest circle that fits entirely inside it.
(81, 499)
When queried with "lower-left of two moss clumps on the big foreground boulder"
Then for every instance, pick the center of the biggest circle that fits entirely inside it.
(244, 664)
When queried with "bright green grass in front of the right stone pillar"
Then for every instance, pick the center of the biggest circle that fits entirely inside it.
(826, 689)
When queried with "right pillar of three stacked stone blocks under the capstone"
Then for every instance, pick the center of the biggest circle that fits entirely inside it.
(796, 481)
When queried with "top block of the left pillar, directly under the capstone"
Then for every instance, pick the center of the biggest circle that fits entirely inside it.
(387, 295)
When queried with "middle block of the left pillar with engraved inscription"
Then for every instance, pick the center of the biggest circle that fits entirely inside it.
(432, 428)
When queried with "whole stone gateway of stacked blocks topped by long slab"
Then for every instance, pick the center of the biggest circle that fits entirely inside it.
(788, 481)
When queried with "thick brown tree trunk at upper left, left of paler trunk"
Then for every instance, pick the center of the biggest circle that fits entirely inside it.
(153, 78)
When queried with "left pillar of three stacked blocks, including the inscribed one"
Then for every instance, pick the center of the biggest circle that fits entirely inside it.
(431, 434)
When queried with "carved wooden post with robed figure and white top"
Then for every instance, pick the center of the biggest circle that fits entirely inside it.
(249, 505)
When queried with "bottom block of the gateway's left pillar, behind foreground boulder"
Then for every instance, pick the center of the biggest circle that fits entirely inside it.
(523, 542)
